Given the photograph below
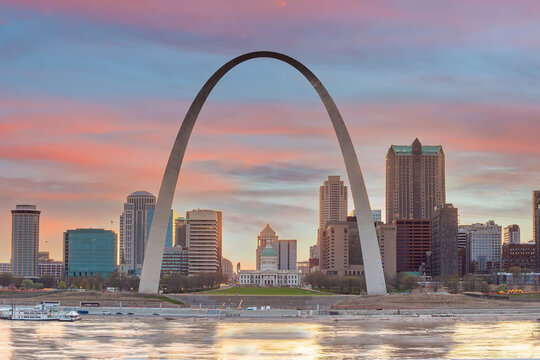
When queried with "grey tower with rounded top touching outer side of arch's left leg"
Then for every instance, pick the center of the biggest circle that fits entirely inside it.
(133, 229)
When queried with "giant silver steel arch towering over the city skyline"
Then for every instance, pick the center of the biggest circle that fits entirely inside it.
(368, 239)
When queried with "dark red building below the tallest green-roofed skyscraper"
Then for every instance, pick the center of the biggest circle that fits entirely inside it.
(413, 244)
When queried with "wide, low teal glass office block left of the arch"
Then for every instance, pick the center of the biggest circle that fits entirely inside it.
(89, 252)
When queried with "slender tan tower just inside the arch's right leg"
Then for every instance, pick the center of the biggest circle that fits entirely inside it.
(332, 201)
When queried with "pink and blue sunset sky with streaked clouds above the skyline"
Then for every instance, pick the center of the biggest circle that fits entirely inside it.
(92, 94)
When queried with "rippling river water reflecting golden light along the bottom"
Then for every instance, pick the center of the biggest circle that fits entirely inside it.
(117, 337)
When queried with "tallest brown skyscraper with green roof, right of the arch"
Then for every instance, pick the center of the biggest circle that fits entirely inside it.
(415, 181)
